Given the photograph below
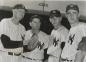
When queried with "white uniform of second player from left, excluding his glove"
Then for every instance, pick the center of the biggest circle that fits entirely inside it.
(36, 55)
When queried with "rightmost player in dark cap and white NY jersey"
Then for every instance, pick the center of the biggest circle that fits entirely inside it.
(76, 33)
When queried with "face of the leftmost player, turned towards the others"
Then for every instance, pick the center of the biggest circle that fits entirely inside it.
(18, 13)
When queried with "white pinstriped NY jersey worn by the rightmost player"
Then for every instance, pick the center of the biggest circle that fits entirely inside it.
(76, 34)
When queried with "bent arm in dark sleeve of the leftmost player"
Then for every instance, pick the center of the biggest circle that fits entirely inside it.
(7, 43)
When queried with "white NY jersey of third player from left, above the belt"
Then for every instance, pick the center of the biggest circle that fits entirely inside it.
(60, 35)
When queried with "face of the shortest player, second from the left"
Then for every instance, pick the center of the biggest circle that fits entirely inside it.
(35, 23)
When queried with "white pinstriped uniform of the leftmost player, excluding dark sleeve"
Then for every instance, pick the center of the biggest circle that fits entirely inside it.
(15, 32)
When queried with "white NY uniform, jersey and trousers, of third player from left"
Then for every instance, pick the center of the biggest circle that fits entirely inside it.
(55, 50)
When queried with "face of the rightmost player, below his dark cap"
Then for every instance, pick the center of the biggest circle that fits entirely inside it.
(72, 16)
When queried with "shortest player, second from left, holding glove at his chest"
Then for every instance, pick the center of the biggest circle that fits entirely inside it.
(36, 41)
